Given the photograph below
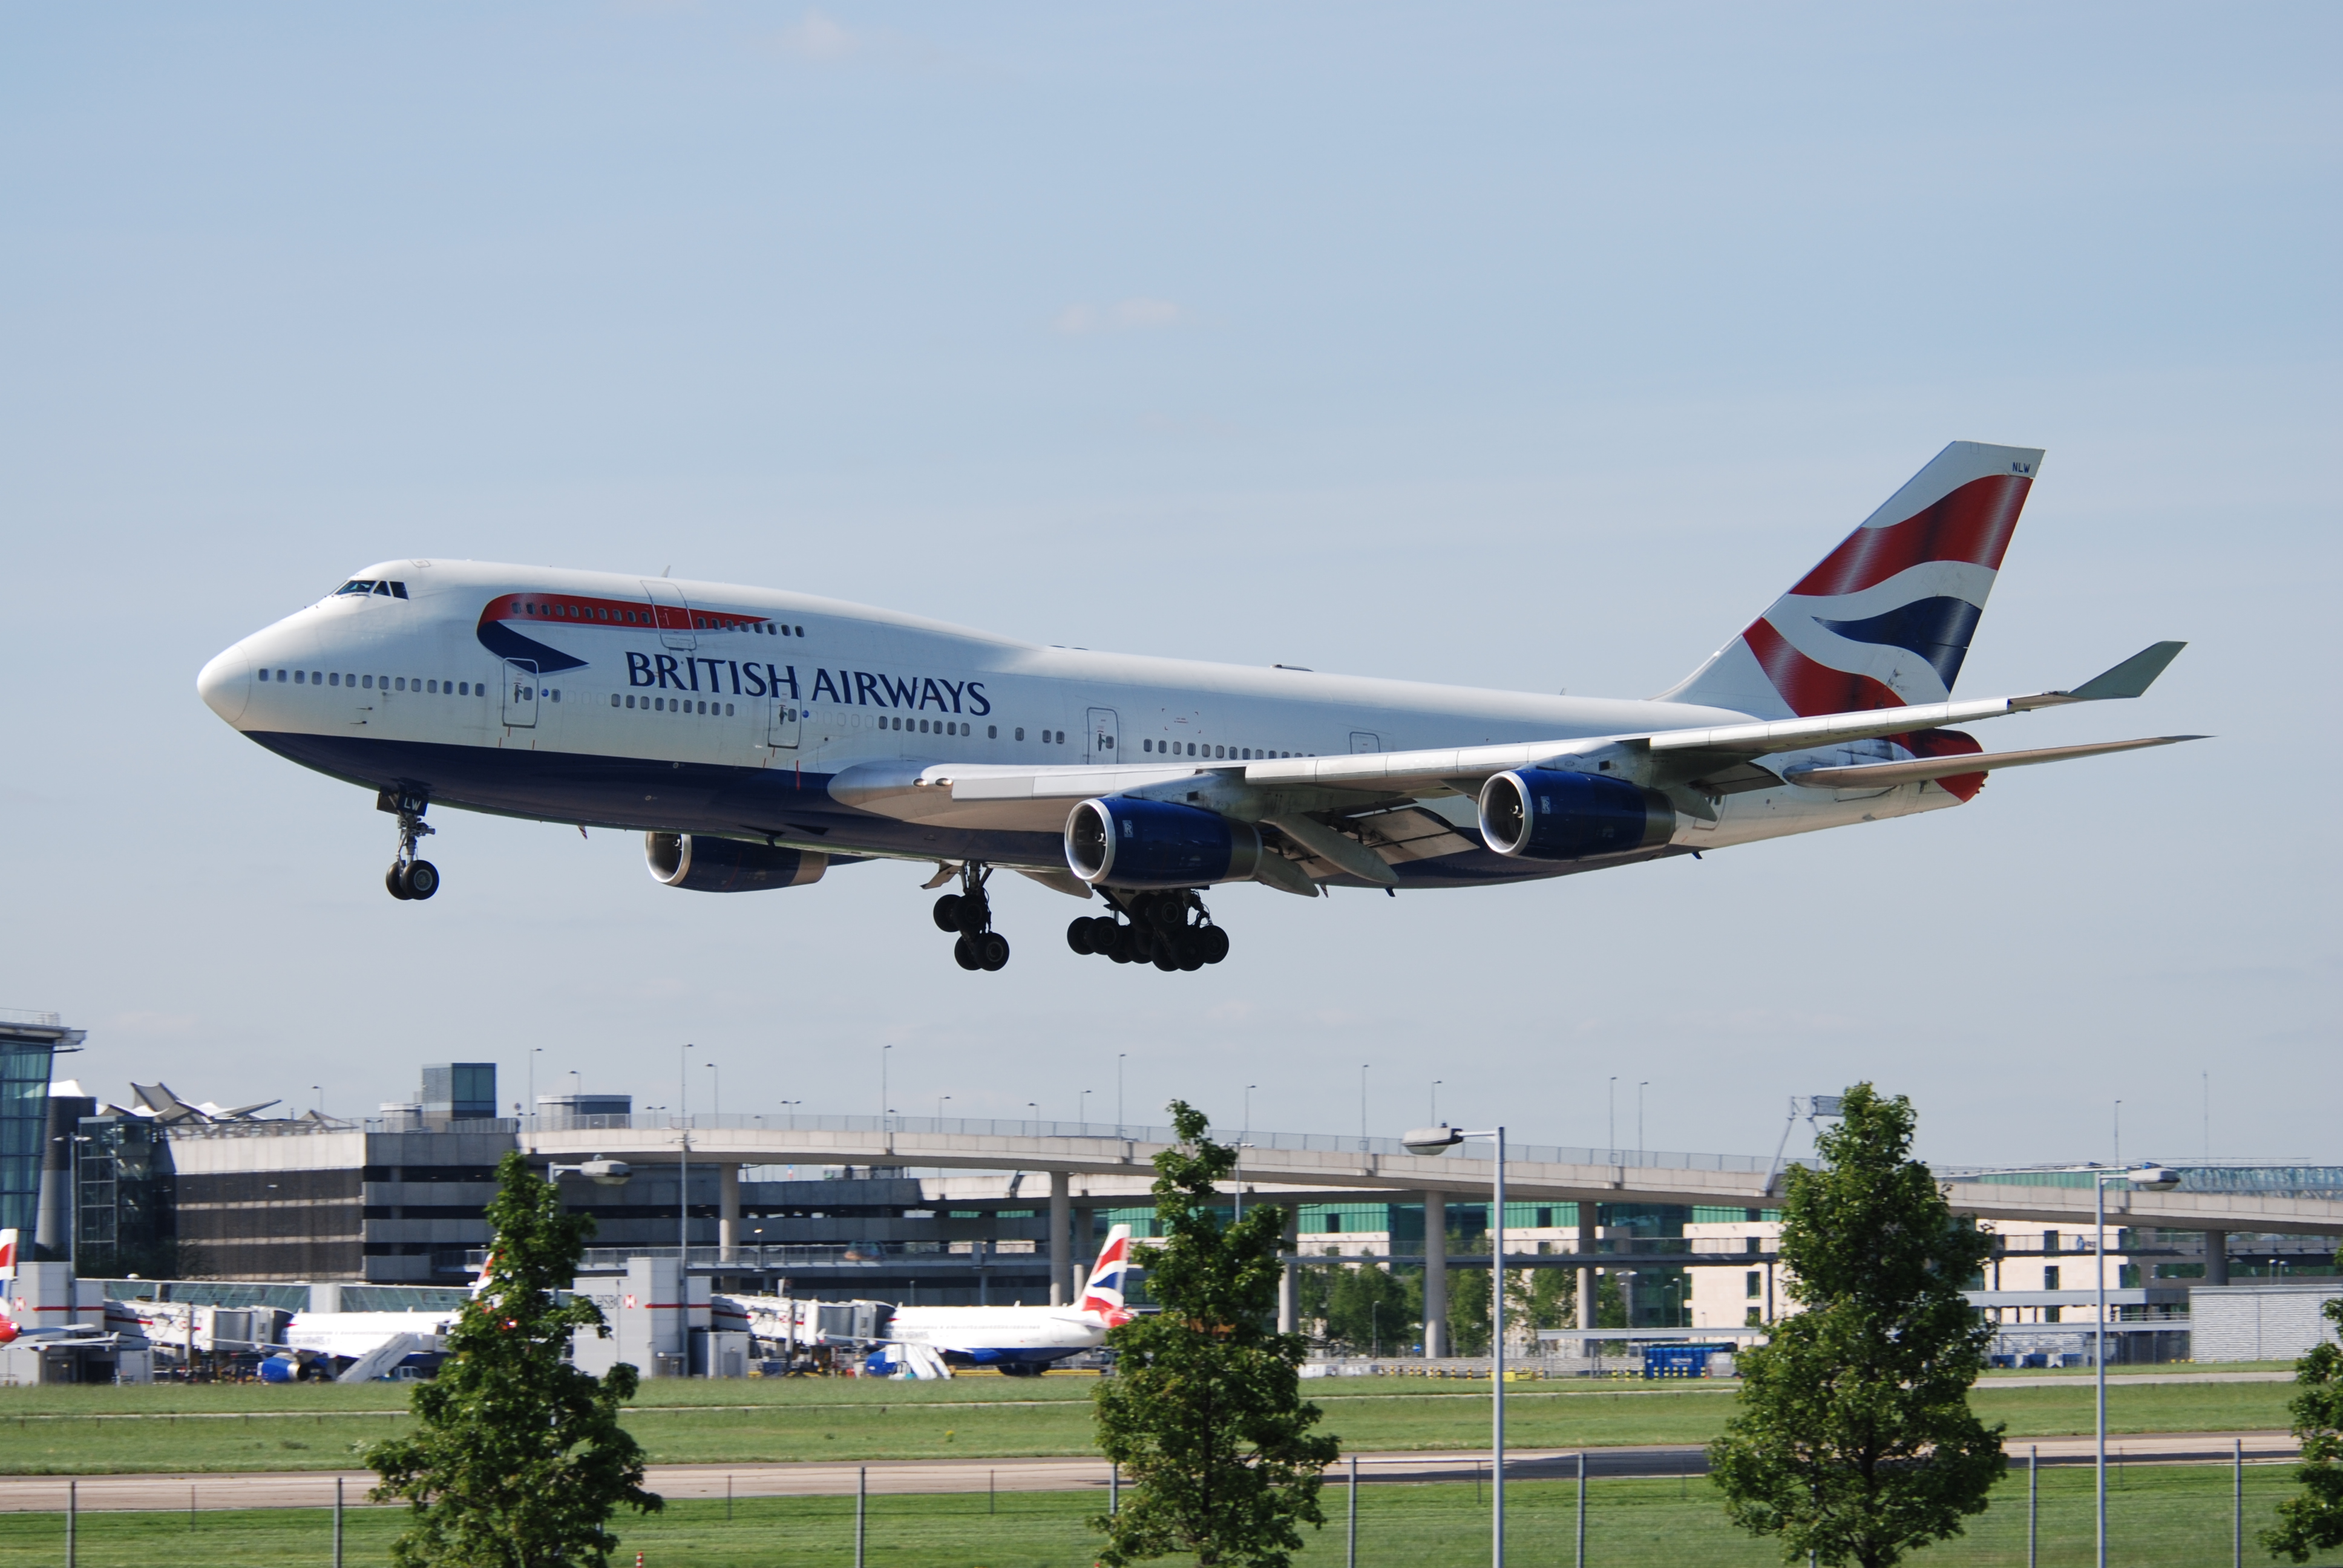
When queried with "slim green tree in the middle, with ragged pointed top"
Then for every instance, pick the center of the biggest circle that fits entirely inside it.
(1205, 1412)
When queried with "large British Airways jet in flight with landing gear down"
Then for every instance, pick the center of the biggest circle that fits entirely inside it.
(760, 737)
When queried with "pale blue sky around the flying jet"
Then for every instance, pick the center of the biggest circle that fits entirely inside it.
(1510, 346)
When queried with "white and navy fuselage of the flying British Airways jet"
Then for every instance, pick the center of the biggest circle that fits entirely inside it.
(681, 707)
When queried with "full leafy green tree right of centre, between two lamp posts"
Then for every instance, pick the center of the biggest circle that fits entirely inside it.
(1854, 1438)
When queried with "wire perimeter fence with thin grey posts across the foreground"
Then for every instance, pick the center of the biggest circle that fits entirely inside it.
(1634, 1511)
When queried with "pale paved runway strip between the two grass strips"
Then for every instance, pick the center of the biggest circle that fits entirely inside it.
(899, 1478)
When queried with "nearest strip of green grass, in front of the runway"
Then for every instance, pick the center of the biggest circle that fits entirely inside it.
(2159, 1518)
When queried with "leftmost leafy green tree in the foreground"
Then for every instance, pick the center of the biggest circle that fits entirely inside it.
(517, 1459)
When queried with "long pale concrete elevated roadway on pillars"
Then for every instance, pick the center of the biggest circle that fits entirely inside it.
(1093, 1166)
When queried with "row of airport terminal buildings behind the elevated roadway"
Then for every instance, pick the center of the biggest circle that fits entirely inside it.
(228, 1204)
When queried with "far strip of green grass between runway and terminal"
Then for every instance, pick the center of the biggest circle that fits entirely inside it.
(95, 1431)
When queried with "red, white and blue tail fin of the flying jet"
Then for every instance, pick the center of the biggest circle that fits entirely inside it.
(1887, 618)
